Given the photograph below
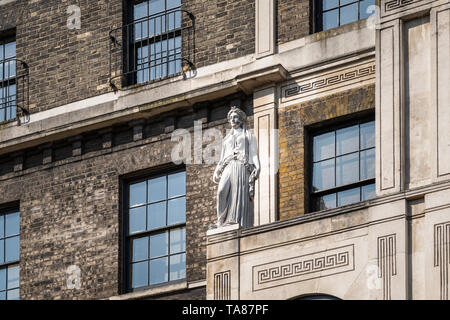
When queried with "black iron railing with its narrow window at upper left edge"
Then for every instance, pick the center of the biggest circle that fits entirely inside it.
(13, 83)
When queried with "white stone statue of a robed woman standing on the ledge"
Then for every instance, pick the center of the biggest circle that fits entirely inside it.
(237, 169)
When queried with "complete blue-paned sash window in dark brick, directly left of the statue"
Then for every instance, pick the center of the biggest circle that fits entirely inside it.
(156, 234)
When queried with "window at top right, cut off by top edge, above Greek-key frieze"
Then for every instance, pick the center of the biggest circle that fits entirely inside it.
(333, 13)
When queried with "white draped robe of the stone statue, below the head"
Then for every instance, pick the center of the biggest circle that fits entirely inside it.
(233, 200)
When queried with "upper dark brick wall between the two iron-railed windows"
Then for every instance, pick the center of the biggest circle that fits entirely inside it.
(65, 65)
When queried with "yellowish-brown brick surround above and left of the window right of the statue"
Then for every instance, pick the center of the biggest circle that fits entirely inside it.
(294, 123)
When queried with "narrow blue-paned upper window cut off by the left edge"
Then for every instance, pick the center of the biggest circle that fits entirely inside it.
(7, 80)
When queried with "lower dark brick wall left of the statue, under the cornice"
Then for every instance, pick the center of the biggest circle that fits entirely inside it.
(70, 204)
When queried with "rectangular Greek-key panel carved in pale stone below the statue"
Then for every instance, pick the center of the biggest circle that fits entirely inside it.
(305, 267)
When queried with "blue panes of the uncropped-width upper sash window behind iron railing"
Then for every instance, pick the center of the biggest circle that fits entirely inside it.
(156, 39)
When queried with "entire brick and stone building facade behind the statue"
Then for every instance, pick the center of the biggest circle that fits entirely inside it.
(99, 106)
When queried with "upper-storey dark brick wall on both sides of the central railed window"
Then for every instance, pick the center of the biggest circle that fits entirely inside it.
(71, 65)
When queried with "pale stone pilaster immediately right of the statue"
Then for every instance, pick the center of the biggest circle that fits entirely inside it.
(265, 126)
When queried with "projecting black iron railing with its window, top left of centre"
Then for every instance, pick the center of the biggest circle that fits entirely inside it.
(157, 44)
